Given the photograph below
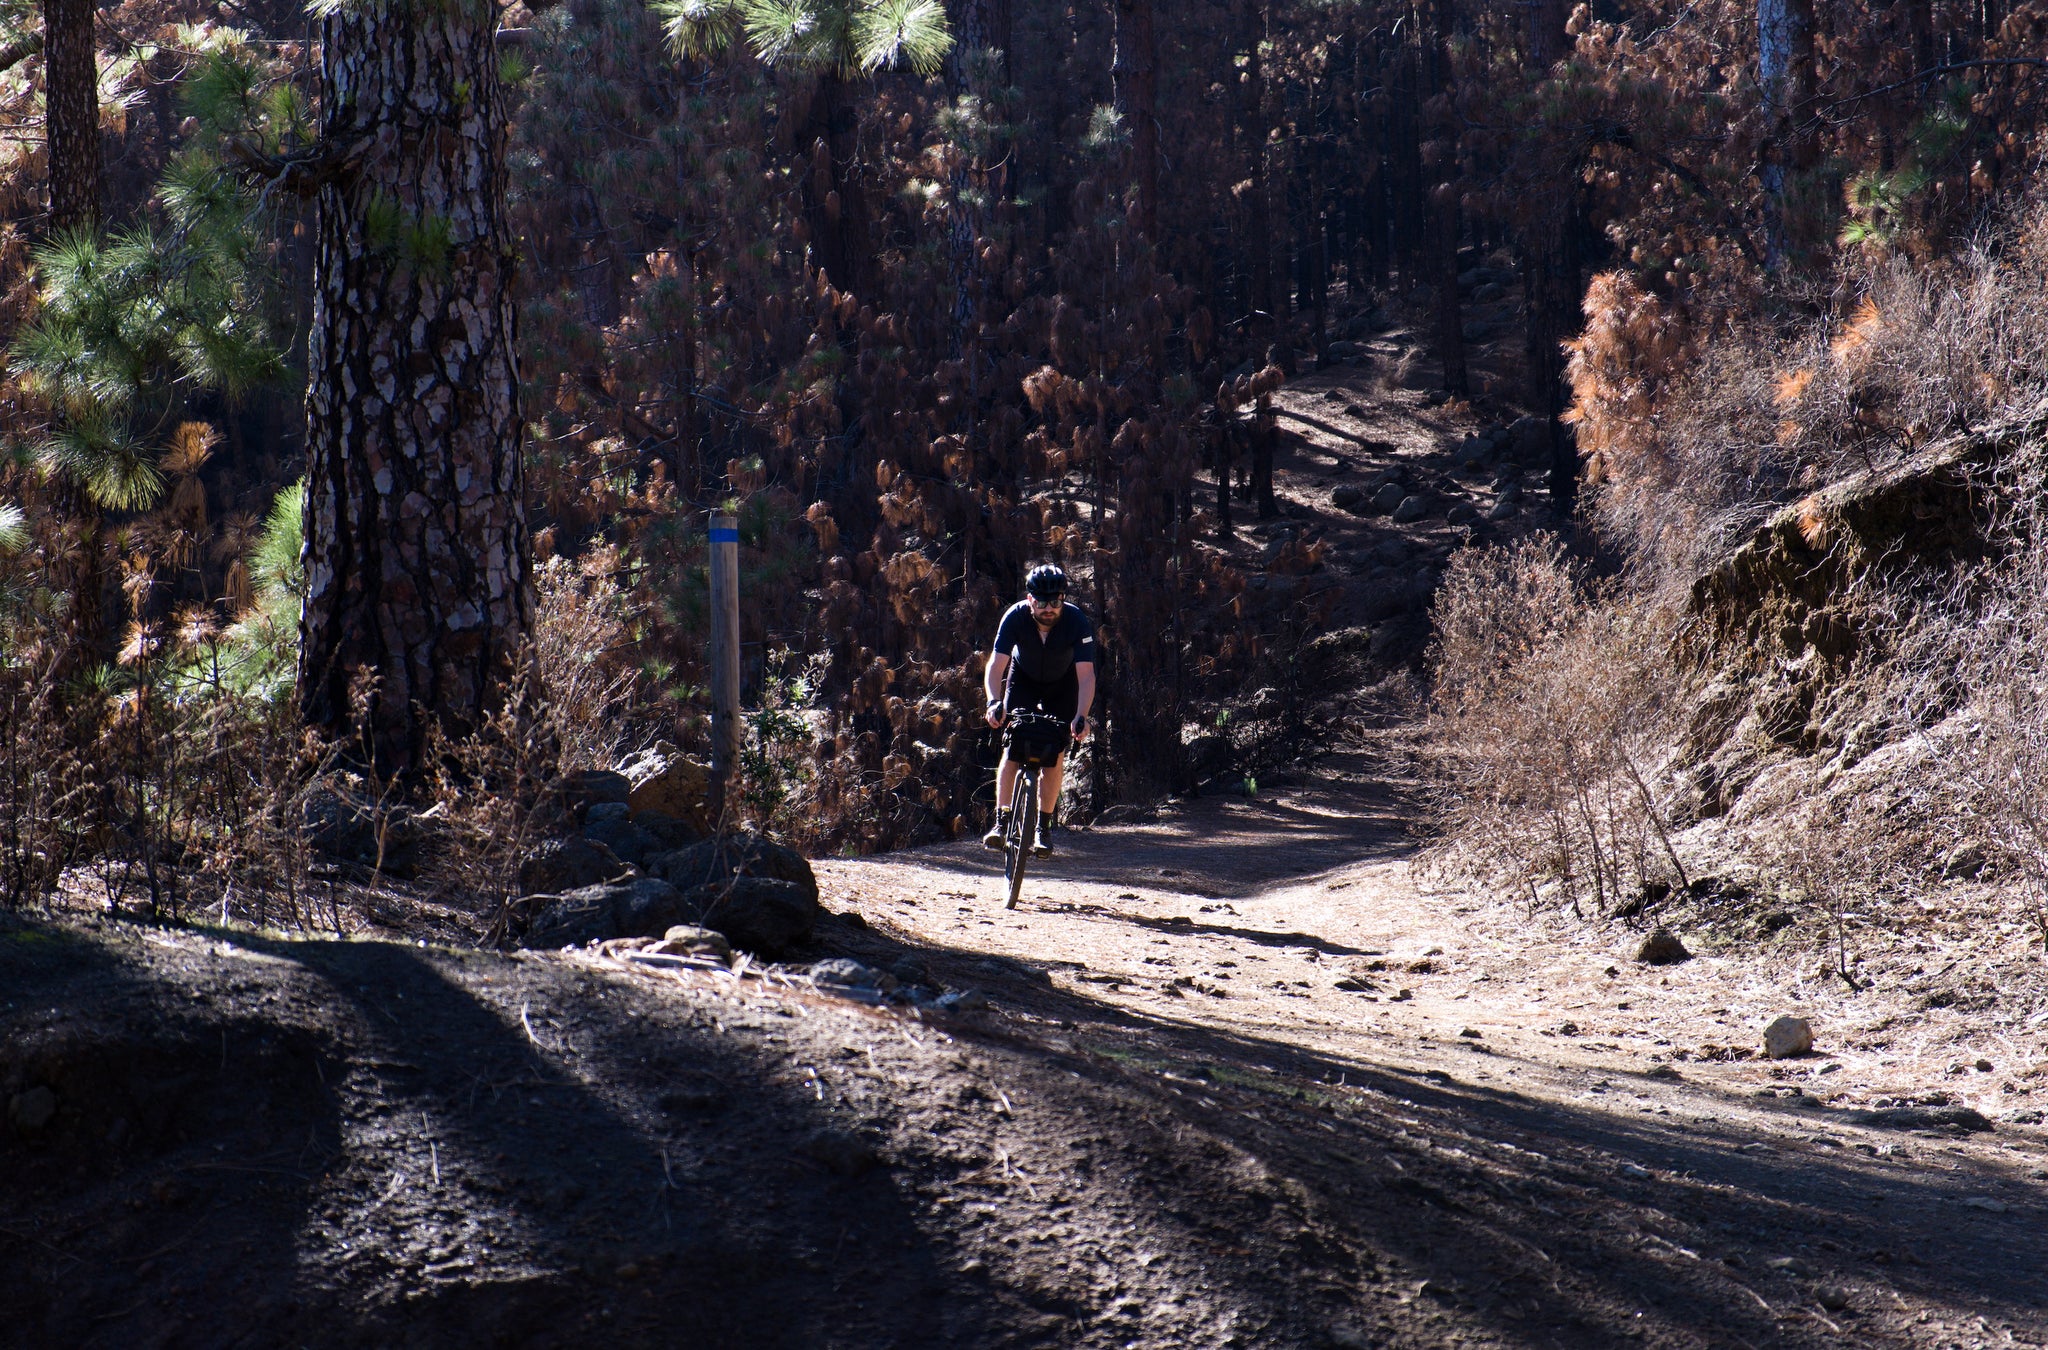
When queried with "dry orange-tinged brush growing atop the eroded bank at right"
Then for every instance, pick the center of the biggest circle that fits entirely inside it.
(1699, 425)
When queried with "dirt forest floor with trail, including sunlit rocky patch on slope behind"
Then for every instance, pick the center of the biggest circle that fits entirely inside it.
(1246, 1077)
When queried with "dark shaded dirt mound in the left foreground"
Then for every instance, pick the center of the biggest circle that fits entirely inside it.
(339, 1144)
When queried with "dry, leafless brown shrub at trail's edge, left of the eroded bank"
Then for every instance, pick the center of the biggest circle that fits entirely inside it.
(1553, 704)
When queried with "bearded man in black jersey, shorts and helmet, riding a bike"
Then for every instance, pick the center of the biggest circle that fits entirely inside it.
(1046, 661)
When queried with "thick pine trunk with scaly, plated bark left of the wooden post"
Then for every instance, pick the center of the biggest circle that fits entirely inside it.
(417, 552)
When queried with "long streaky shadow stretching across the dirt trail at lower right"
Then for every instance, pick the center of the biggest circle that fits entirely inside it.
(1535, 1220)
